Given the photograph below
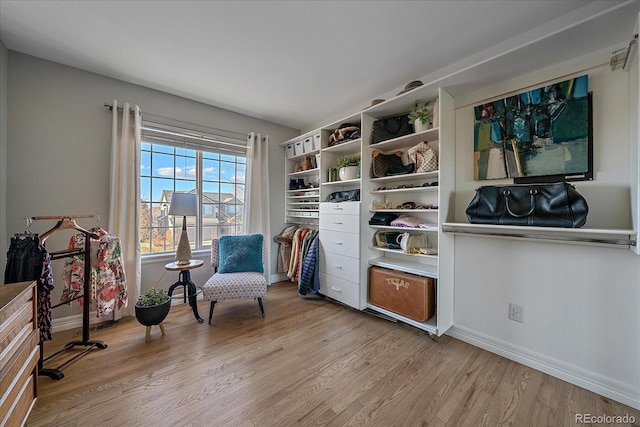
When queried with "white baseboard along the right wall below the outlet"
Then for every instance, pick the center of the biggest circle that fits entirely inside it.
(591, 381)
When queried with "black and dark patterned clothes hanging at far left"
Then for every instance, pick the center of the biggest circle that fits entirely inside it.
(28, 260)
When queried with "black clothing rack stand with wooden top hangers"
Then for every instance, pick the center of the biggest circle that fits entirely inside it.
(68, 222)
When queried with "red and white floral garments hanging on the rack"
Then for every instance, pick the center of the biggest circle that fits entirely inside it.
(108, 279)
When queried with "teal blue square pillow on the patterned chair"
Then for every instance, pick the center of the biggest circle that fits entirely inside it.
(241, 254)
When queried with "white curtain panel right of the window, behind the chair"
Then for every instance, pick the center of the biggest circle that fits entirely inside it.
(257, 193)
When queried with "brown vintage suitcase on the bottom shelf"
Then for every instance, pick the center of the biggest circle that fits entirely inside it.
(403, 293)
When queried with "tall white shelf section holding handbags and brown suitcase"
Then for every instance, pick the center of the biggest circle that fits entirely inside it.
(432, 190)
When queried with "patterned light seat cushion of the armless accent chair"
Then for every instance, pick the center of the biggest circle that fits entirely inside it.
(234, 286)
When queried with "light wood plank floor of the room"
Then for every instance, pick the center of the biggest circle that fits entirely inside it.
(308, 362)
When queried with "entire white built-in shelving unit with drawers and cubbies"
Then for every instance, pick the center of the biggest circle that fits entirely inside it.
(431, 189)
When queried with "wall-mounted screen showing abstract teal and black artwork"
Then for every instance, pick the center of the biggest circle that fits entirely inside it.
(541, 135)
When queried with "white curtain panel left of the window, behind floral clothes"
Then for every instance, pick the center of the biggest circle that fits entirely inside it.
(124, 195)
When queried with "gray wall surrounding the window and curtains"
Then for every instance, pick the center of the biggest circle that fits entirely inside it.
(58, 151)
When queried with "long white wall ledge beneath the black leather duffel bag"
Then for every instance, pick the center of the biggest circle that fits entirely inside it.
(623, 238)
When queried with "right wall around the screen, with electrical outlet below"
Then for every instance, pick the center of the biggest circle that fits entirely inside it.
(581, 316)
